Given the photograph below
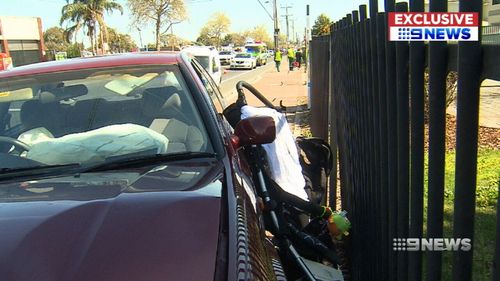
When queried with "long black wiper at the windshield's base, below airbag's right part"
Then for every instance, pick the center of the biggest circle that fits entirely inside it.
(127, 162)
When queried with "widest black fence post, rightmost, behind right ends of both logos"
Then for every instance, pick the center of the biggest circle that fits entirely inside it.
(469, 82)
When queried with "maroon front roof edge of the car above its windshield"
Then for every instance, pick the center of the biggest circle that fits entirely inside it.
(146, 58)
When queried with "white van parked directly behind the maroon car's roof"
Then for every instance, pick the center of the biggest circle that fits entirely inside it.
(209, 59)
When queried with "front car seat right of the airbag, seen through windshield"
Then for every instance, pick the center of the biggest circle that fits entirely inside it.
(163, 108)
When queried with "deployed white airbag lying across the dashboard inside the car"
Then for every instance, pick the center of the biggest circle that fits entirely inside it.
(96, 145)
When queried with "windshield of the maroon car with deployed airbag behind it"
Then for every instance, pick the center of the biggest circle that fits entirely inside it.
(94, 116)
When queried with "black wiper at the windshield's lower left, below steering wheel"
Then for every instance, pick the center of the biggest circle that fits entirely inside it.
(40, 170)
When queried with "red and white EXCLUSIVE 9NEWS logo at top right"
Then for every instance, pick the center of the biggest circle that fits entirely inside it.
(433, 26)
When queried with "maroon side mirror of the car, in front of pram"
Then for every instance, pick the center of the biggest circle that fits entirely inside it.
(253, 131)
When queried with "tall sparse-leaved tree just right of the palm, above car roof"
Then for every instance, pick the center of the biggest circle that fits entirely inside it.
(163, 13)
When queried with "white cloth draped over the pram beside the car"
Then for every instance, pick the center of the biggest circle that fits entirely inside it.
(282, 154)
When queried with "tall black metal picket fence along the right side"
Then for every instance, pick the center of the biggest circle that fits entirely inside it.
(377, 122)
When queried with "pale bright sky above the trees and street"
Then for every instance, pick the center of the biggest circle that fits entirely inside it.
(244, 15)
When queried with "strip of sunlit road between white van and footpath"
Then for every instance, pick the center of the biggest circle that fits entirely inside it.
(231, 77)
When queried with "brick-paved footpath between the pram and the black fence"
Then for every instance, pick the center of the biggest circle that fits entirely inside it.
(288, 88)
